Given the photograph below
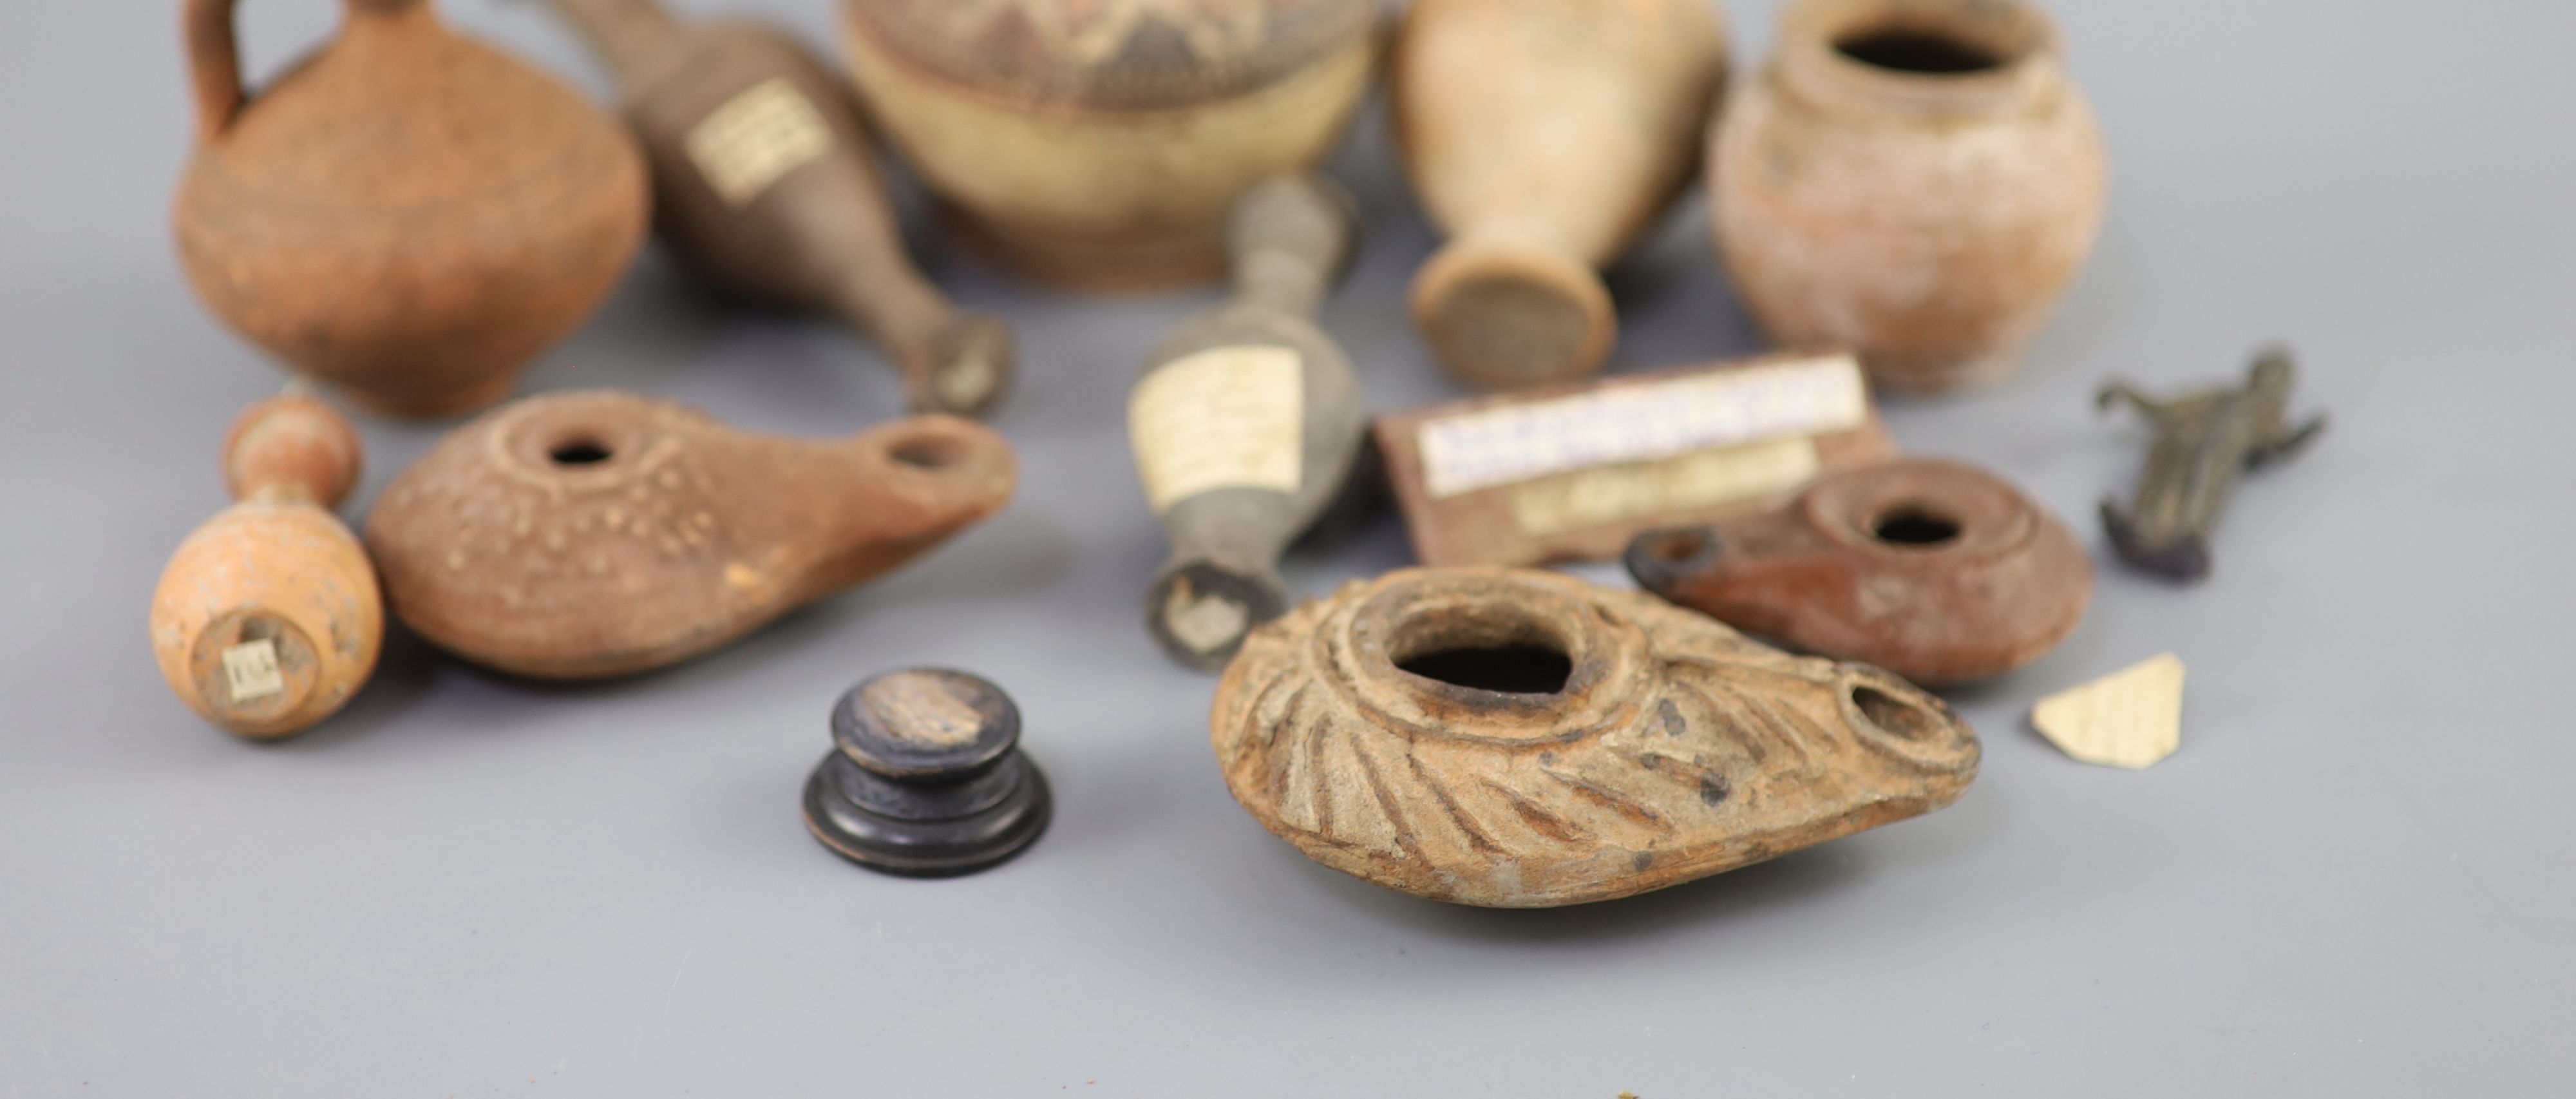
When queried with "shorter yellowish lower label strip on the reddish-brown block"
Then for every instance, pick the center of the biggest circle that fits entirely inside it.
(1704, 481)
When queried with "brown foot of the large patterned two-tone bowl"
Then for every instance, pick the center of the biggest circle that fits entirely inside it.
(1096, 262)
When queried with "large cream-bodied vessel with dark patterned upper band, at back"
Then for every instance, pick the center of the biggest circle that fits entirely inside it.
(1099, 143)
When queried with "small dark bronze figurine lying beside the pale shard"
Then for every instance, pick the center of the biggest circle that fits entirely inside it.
(2201, 442)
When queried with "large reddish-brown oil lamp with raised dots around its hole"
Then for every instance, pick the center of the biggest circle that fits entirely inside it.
(596, 533)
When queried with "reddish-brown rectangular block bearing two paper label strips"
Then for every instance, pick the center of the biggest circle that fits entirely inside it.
(1575, 471)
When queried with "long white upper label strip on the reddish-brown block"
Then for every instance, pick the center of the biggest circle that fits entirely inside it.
(1642, 424)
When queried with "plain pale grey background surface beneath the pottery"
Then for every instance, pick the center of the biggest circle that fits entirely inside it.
(2356, 876)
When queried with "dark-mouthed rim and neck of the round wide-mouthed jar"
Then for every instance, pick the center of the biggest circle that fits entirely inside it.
(1920, 58)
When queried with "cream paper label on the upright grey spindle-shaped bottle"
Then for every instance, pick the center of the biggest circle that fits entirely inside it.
(1220, 419)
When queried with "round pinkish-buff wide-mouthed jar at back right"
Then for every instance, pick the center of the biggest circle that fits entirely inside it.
(1910, 179)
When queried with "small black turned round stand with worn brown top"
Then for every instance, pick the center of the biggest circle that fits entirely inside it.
(926, 778)
